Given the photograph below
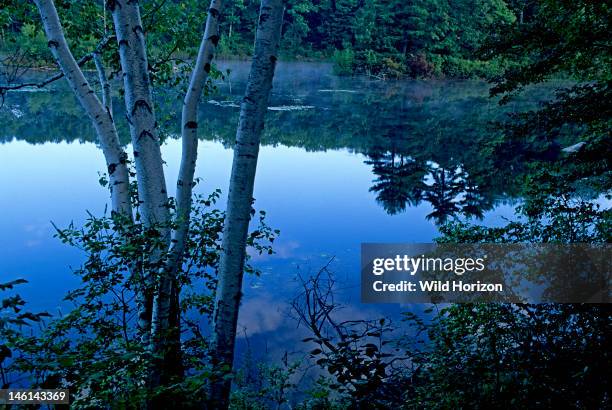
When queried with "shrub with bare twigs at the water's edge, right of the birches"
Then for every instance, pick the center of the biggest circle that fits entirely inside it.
(366, 372)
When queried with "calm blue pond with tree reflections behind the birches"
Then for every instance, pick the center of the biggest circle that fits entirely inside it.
(344, 161)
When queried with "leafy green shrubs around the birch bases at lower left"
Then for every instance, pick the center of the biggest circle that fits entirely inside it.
(95, 349)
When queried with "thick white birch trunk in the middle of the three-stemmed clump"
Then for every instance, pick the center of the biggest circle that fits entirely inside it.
(152, 191)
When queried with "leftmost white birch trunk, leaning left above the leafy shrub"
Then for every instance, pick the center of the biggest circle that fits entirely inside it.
(116, 159)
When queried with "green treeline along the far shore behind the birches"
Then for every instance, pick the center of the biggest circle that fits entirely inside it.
(390, 38)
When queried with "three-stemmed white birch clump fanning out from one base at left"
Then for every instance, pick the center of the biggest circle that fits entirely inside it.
(154, 297)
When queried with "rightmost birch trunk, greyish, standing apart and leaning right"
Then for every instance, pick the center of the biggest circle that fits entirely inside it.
(231, 267)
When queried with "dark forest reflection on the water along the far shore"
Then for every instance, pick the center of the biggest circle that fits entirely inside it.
(425, 141)
